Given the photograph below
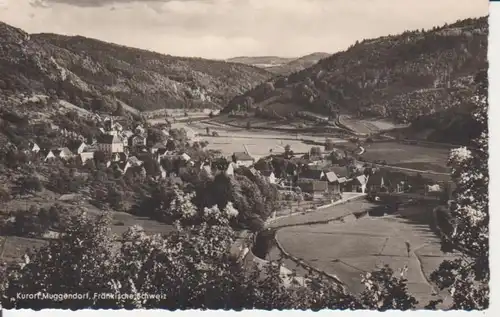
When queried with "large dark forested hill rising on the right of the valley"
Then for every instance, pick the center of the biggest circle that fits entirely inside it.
(400, 77)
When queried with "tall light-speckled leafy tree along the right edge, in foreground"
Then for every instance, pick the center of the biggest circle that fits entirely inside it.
(467, 277)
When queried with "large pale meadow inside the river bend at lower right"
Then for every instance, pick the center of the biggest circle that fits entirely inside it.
(356, 246)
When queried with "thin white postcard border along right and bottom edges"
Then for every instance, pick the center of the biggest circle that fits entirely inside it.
(494, 115)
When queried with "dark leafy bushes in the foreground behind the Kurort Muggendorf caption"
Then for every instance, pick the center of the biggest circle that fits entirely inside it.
(190, 268)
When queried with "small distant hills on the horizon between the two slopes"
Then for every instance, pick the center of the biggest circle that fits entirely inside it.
(280, 65)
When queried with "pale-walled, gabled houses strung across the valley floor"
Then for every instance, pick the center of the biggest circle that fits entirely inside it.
(311, 175)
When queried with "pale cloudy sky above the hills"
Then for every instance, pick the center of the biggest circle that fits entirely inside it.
(227, 28)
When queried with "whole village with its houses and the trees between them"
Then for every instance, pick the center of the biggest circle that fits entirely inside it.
(323, 174)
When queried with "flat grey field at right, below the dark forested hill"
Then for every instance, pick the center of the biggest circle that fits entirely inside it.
(408, 156)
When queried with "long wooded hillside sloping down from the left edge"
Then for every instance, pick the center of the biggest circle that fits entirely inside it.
(94, 74)
